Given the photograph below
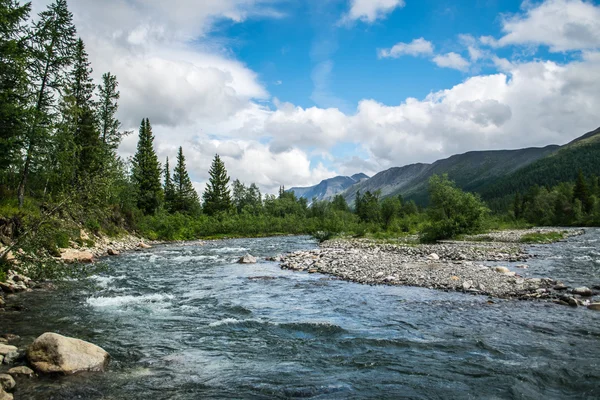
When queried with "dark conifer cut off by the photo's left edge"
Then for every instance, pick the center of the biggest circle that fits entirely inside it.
(14, 58)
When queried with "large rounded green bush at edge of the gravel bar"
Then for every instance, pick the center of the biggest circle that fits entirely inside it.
(452, 212)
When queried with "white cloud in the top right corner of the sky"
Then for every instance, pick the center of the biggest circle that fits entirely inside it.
(562, 25)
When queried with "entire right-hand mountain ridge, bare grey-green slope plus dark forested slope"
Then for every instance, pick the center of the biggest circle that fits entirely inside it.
(492, 173)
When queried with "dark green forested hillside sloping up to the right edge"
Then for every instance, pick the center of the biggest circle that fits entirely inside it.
(561, 166)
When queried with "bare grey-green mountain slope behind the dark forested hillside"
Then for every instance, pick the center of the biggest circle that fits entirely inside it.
(470, 171)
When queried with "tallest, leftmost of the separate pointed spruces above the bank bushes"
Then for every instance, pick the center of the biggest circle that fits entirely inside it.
(146, 171)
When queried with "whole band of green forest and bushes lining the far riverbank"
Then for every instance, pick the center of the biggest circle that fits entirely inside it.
(60, 170)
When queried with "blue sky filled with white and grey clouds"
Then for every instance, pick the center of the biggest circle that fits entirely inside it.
(290, 92)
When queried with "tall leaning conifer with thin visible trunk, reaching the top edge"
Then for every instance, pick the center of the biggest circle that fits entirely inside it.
(53, 41)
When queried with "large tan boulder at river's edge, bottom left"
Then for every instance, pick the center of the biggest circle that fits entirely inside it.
(54, 353)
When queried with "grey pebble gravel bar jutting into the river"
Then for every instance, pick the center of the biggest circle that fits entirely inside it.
(448, 266)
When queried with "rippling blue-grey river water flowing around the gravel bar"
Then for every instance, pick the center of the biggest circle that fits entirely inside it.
(186, 322)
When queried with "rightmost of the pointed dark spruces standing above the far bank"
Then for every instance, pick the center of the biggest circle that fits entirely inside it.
(216, 197)
